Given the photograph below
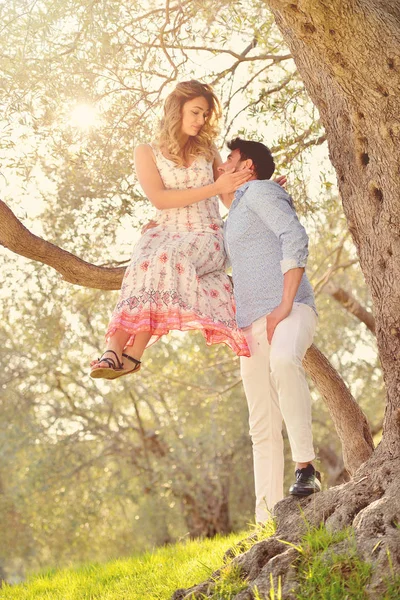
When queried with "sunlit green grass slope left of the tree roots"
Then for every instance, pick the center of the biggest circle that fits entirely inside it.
(151, 576)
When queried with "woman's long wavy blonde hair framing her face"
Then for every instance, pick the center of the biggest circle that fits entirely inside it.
(170, 126)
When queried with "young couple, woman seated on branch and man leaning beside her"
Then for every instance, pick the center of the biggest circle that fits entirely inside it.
(176, 279)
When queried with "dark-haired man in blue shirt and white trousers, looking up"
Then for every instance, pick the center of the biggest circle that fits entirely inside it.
(268, 249)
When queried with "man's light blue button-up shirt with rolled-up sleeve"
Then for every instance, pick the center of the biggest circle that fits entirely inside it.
(264, 239)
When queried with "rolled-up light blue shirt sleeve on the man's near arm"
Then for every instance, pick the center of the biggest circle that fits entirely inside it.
(275, 209)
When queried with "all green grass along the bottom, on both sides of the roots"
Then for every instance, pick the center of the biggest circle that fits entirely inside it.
(328, 568)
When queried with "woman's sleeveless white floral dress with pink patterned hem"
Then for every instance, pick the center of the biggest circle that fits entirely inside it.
(176, 278)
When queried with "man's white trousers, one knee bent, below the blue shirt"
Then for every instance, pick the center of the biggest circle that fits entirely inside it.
(275, 385)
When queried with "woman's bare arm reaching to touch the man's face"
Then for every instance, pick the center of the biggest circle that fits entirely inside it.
(152, 184)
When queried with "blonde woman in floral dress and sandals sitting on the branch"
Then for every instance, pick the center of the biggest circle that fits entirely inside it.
(176, 277)
